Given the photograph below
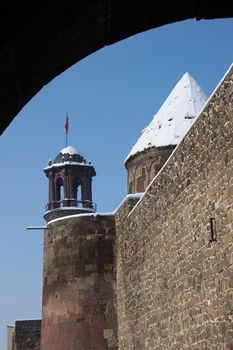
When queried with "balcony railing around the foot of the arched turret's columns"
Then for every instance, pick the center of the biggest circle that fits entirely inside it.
(72, 202)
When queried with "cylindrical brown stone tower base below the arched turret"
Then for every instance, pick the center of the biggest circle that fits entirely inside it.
(79, 284)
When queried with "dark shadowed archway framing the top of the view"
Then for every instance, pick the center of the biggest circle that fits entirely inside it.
(40, 39)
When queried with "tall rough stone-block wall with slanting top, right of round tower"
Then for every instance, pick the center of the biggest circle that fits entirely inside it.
(175, 284)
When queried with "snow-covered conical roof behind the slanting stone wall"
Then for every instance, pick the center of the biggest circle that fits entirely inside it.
(174, 118)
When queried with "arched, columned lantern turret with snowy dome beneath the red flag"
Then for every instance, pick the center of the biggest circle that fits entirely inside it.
(70, 179)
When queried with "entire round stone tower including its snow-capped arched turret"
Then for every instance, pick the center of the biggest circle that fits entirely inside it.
(79, 273)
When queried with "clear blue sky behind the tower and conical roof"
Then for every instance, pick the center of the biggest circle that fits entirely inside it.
(110, 96)
